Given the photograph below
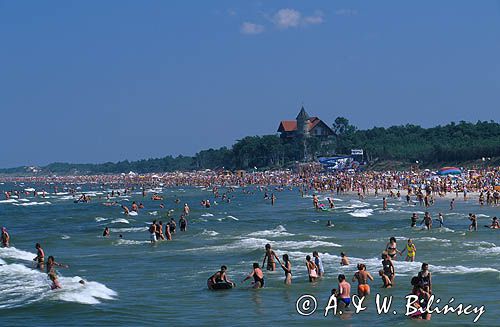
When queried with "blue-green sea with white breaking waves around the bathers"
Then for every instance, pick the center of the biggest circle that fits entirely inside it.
(130, 282)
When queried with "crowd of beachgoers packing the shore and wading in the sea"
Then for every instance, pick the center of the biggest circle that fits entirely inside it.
(421, 188)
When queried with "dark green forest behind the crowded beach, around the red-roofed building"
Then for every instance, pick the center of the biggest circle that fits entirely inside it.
(441, 144)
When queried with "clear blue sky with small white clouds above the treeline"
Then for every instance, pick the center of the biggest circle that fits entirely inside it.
(96, 81)
